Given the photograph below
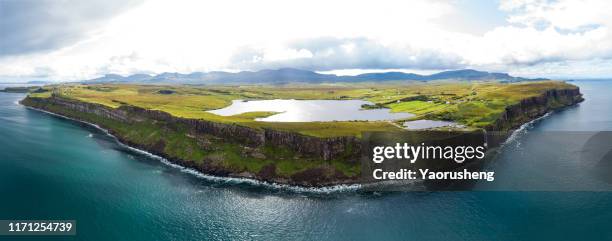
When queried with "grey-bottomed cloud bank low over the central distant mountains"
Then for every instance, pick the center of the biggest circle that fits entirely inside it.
(354, 53)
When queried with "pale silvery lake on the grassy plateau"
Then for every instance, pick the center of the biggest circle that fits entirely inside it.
(311, 110)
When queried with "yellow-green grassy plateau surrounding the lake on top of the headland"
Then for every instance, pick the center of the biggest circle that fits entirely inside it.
(473, 104)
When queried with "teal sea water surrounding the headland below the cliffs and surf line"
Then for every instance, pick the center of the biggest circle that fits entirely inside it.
(53, 168)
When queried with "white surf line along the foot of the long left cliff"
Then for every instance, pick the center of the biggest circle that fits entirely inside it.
(227, 180)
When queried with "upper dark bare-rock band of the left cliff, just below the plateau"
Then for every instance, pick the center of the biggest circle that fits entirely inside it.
(323, 148)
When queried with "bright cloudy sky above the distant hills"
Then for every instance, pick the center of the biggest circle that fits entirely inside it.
(64, 40)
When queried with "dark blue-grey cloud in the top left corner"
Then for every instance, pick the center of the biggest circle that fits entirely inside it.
(28, 26)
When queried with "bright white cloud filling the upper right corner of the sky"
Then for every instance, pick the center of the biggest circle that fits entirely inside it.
(554, 31)
